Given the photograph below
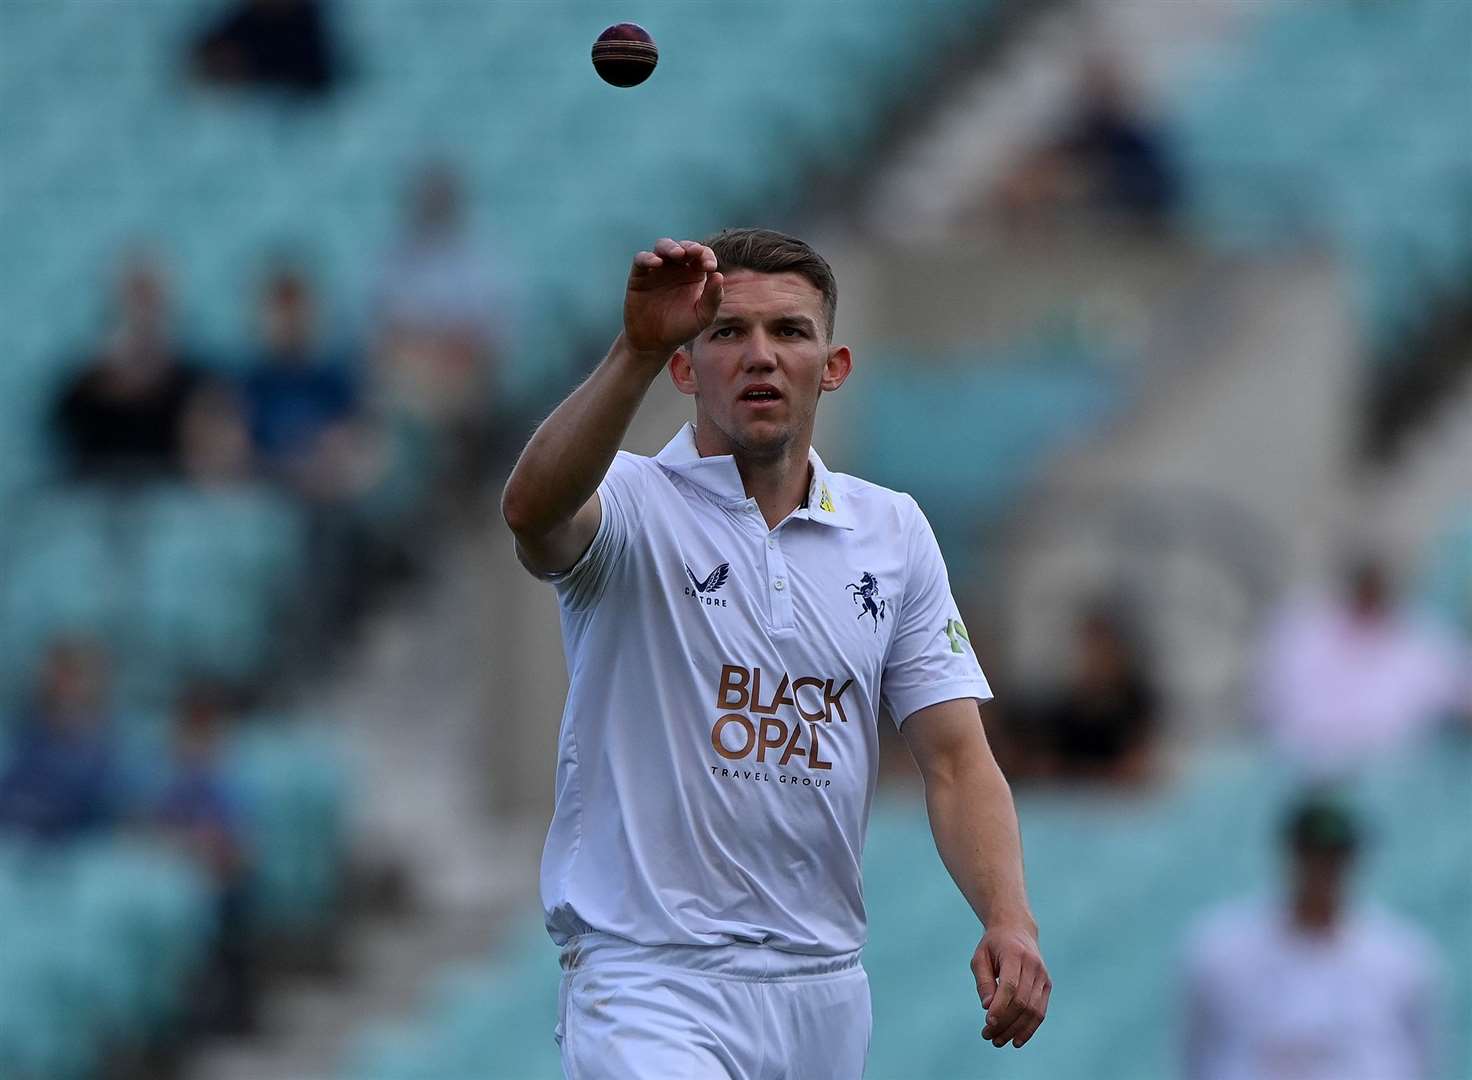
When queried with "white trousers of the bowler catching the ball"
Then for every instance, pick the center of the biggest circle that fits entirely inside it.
(710, 1013)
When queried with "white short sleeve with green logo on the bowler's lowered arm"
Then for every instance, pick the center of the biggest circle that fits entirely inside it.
(931, 657)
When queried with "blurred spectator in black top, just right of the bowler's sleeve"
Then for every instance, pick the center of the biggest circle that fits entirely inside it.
(1102, 725)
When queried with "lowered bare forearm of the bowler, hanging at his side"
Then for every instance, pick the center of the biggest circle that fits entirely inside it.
(975, 826)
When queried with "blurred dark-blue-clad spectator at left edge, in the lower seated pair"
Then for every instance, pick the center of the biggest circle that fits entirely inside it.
(64, 779)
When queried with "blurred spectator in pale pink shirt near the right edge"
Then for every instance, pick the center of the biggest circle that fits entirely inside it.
(1352, 678)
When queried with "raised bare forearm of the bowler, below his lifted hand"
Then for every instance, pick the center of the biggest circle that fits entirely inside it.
(572, 451)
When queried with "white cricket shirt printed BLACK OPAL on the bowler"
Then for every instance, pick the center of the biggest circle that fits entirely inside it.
(721, 742)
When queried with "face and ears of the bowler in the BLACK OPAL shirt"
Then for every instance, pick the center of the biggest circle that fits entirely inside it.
(759, 369)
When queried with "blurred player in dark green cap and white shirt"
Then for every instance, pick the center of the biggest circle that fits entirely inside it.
(1311, 987)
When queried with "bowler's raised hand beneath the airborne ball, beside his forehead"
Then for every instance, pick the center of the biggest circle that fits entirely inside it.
(673, 295)
